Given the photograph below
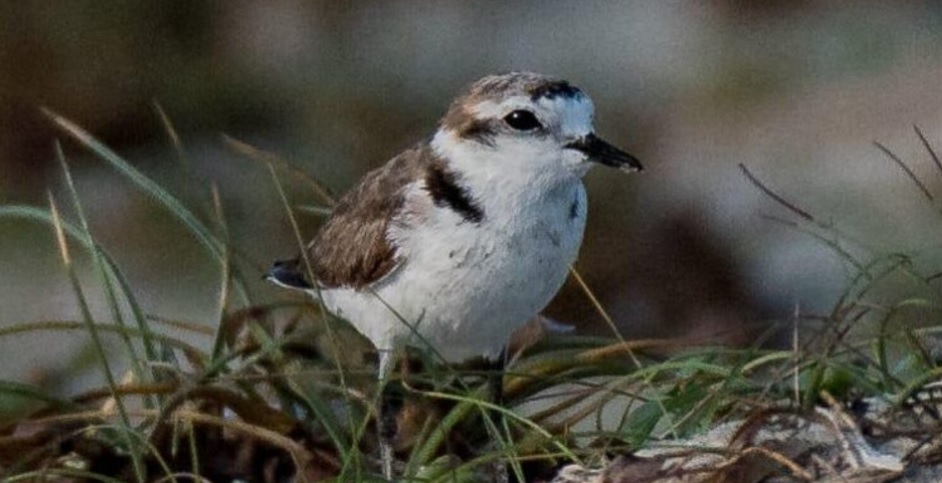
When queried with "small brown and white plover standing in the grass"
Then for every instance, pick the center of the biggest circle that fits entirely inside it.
(461, 239)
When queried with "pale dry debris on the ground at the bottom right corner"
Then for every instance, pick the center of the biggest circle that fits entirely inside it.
(870, 441)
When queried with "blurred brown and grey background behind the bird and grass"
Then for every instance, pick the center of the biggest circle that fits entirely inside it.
(795, 90)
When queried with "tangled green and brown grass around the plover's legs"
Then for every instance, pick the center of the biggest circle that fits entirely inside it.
(283, 391)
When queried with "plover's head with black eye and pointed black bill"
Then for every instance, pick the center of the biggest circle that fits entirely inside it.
(526, 120)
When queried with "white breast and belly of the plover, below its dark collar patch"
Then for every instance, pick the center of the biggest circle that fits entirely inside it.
(465, 287)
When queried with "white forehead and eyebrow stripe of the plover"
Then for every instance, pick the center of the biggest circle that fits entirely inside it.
(566, 115)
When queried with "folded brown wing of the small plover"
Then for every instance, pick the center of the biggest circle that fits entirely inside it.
(351, 249)
